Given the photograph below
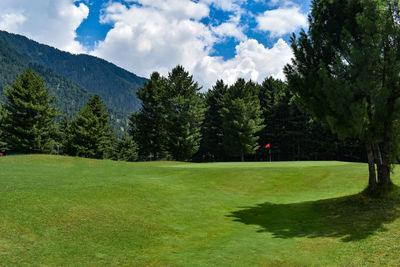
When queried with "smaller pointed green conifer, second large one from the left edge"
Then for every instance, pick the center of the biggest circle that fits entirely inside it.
(90, 134)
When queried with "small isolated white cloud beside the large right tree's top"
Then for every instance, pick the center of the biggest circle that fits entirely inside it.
(282, 21)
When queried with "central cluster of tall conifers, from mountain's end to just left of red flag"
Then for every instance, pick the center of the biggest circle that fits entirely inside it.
(176, 119)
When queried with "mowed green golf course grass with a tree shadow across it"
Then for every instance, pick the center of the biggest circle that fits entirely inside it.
(64, 211)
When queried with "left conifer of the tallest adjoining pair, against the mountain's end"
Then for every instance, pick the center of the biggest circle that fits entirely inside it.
(148, 127)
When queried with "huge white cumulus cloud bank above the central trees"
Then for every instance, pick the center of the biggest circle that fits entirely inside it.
(175, 35)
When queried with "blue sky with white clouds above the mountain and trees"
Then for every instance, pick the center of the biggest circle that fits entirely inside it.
(220, 39)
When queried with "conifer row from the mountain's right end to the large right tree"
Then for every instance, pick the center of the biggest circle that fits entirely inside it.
(229, 123)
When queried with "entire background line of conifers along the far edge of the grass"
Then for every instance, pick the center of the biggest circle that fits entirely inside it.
(176, 122)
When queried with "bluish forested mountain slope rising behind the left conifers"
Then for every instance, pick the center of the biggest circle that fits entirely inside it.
(71, 78)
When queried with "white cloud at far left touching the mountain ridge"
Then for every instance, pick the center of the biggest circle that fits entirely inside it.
(46, 21)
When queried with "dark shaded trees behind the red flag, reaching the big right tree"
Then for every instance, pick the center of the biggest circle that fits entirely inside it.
(293, 134)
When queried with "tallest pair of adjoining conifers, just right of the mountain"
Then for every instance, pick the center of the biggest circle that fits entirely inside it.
(169, 122)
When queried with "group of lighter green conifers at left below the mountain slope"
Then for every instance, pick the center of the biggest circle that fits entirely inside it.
(28, 124)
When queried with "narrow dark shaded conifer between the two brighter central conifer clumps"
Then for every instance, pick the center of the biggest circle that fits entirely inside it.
(211, 148)
